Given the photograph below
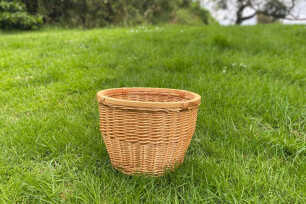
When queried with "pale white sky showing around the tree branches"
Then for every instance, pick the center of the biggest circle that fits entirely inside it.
(227, 17)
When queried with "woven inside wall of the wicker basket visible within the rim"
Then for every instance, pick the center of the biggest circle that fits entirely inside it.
(151, 96)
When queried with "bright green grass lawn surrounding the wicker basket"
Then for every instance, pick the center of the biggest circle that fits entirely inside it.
(249, 145)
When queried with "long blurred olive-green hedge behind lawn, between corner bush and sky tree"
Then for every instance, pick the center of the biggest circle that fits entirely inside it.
(96, 13)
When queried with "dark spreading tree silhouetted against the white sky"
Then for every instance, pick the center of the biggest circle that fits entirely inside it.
(277, 9)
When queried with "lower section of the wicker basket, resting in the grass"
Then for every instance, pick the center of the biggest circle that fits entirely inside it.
(150, 159)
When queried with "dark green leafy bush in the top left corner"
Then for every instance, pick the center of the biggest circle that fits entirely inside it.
(14, 16)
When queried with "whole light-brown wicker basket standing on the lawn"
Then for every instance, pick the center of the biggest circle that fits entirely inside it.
(147, 130)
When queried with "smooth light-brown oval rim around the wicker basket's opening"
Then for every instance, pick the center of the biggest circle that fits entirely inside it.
(194, 101)
